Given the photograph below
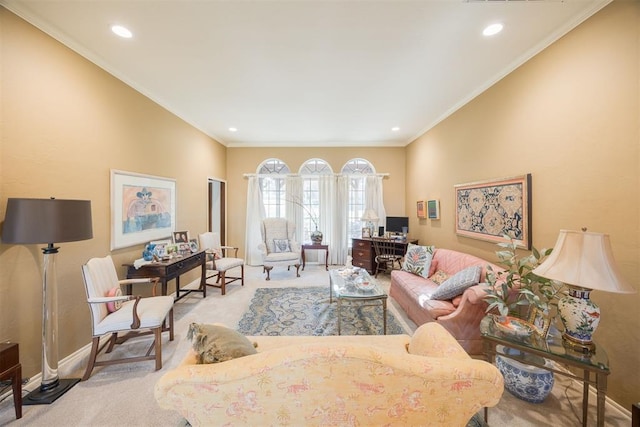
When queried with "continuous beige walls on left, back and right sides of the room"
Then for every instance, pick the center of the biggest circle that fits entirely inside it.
(570, 117)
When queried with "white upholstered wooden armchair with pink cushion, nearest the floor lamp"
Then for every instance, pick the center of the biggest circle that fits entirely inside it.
(114, 313)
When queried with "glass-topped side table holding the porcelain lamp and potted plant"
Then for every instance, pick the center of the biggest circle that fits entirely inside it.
(553, 349)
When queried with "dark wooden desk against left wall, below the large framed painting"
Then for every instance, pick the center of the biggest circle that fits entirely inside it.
(172, 269)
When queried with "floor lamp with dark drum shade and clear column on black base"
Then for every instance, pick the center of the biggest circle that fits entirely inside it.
(35, 221)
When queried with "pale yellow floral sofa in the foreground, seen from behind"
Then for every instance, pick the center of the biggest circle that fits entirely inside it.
(427, 379)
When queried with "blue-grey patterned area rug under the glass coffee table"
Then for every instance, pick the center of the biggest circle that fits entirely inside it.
(307, 311)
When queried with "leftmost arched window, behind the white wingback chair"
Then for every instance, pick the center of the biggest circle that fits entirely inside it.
(272, 185)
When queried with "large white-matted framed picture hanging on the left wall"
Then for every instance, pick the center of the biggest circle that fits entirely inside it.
(143, 208)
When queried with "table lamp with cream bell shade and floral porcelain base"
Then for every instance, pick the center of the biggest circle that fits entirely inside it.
(584, 262)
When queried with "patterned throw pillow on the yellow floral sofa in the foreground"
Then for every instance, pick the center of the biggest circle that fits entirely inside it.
(217, 343)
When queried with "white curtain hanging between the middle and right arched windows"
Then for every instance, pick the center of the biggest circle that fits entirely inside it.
(339, 231)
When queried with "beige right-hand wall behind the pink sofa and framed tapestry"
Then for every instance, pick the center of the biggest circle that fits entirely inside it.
(571, 118)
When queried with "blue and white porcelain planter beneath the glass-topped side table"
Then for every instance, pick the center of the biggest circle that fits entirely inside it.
(525, 382)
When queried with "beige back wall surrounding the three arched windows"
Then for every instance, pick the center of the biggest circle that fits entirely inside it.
(242, 161)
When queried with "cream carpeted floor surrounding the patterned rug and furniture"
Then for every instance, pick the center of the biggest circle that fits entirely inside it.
(121, 395)
